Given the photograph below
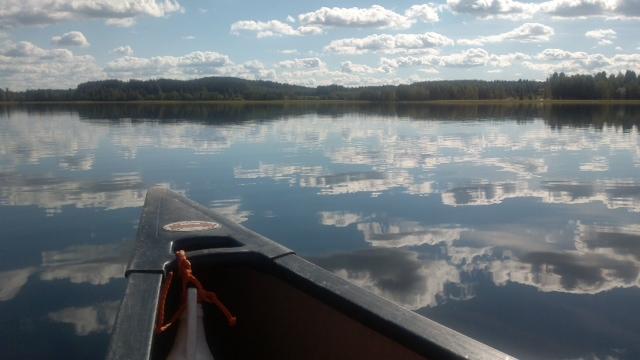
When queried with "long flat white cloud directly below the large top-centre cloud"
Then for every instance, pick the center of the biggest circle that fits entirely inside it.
(388, 43)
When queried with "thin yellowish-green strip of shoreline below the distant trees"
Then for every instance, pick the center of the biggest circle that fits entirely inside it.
(319, 101)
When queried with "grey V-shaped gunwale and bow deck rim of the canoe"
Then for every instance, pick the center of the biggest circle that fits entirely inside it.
(153, 256)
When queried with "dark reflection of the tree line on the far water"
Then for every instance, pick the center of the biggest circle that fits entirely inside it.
(555, 115)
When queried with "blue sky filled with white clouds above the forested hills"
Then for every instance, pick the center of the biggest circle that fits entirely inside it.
(60, 43)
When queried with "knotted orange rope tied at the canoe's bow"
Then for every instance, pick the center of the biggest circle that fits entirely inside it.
(187, 277)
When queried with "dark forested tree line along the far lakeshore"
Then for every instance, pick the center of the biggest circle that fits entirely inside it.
(558, 86)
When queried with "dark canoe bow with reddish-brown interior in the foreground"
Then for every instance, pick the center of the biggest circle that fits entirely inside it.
(285, 306)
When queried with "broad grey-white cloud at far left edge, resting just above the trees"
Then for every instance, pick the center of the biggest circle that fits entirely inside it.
(24, 64)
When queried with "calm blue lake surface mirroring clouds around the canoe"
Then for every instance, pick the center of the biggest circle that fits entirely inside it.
(517, 226)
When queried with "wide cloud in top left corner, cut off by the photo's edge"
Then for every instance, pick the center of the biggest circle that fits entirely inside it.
(118, 12)
